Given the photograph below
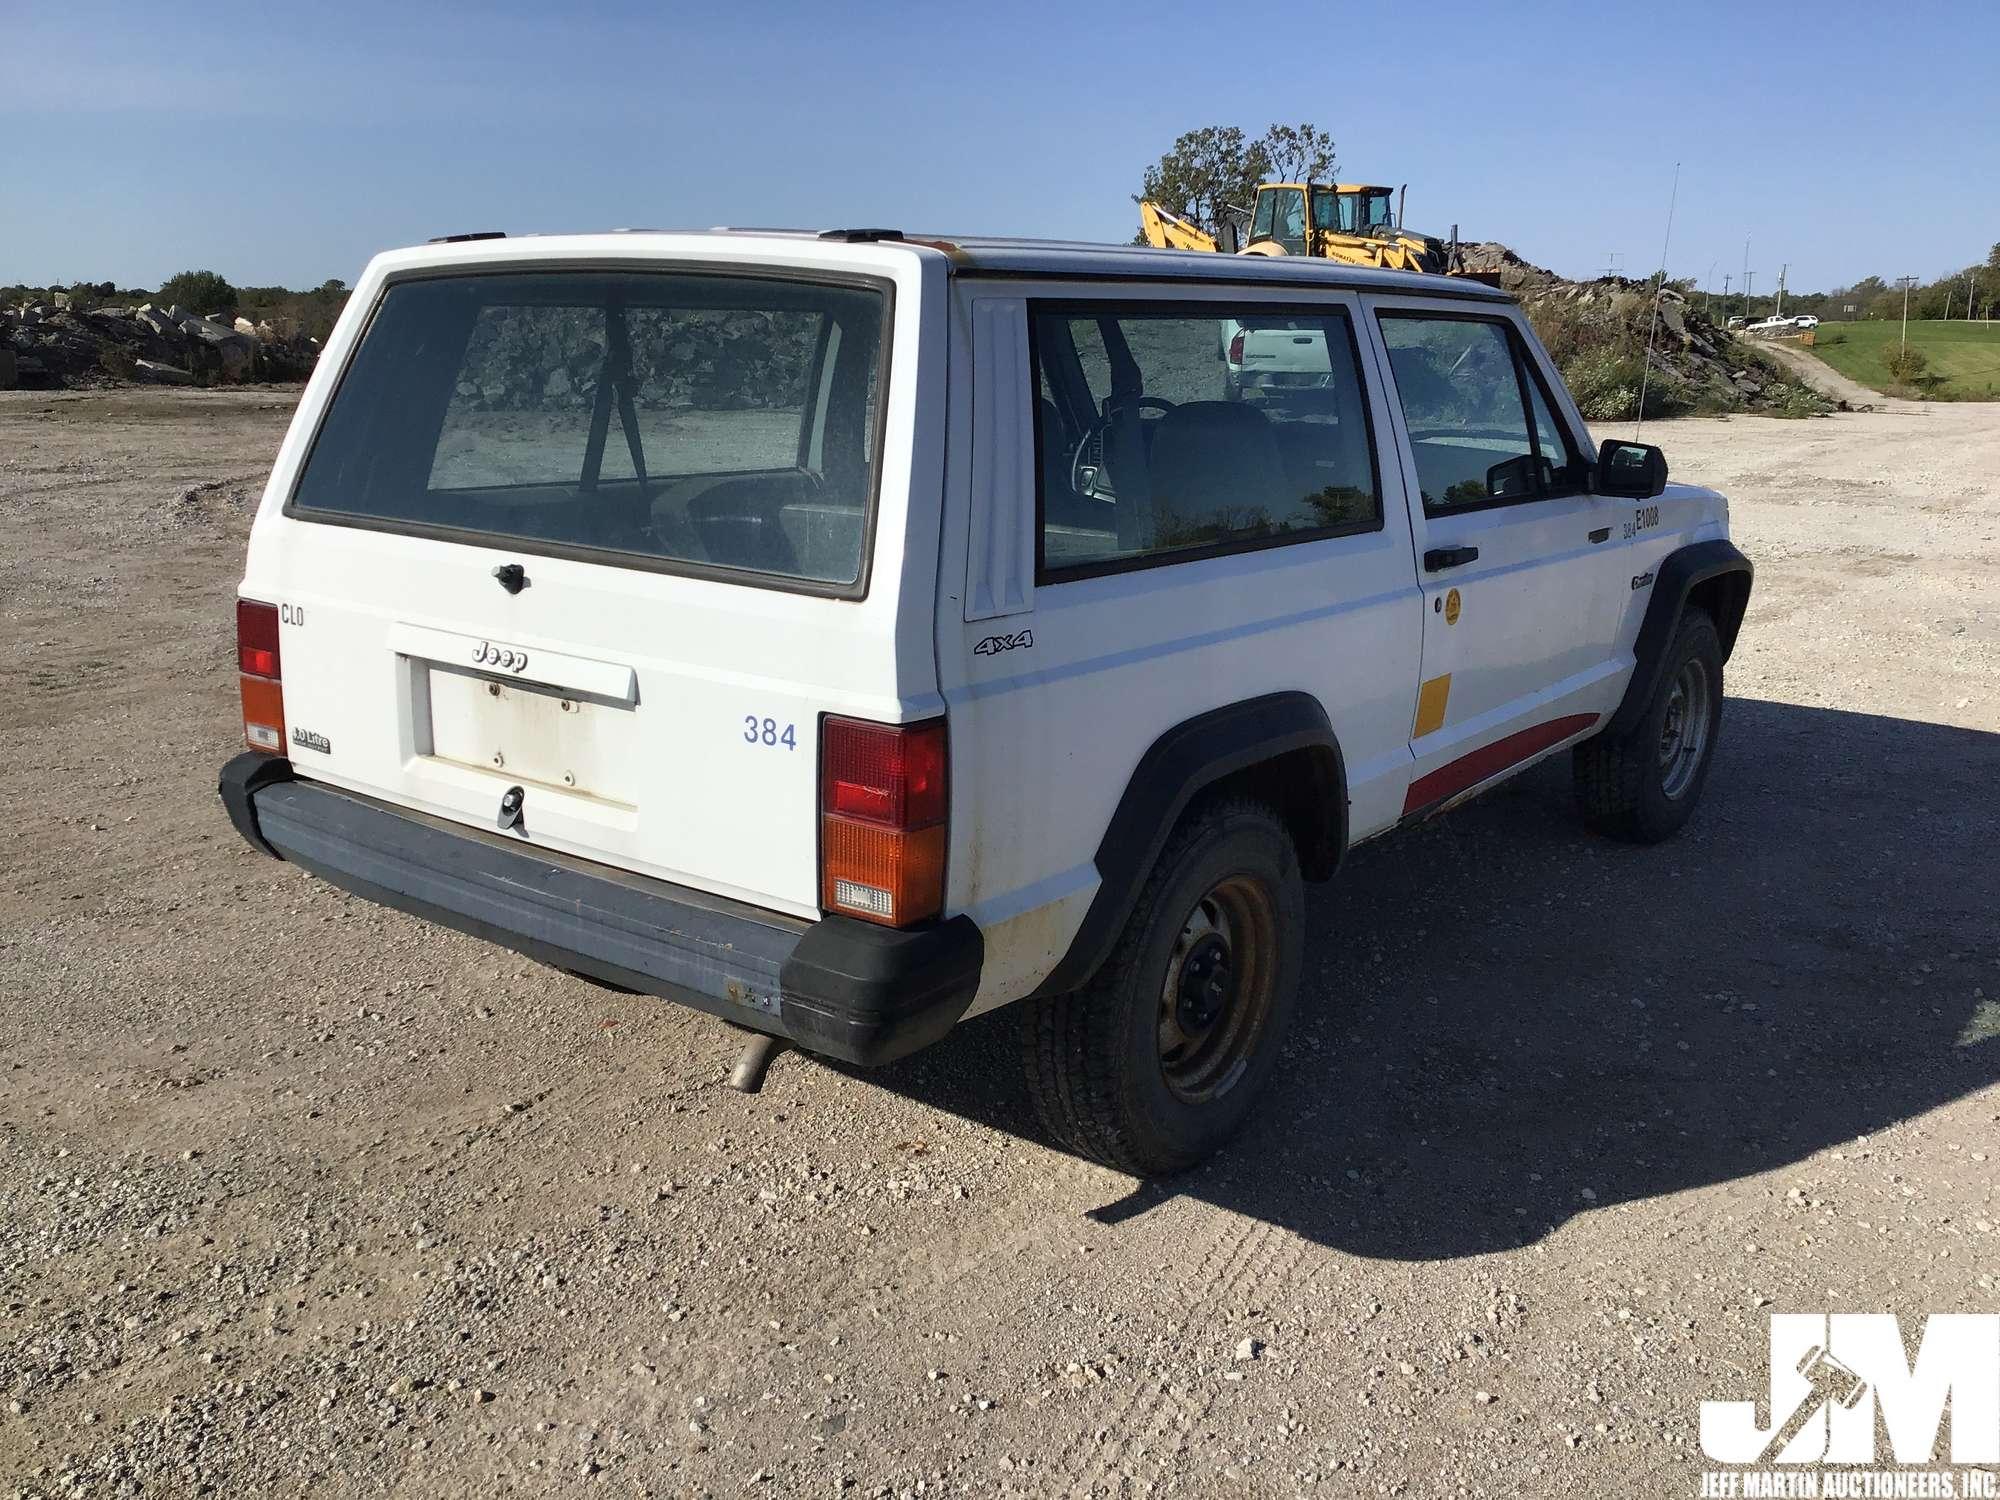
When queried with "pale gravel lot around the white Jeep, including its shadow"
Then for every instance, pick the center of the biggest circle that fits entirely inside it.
(303, 1195)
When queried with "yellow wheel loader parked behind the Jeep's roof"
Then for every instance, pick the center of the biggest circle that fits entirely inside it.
(1351, 223)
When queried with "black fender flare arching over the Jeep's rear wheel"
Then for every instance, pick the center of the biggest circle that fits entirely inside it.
(1179, 767)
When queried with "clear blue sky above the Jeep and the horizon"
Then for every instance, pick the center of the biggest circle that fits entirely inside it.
(287, 143)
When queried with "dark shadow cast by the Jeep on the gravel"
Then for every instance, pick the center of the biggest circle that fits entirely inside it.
(1509, 1021)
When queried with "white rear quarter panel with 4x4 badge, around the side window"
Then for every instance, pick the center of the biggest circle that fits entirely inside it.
(1045, 739)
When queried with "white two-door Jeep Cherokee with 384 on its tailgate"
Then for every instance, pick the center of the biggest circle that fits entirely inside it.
(851, 635)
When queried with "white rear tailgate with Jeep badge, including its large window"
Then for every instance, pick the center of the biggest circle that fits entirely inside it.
(647, 659)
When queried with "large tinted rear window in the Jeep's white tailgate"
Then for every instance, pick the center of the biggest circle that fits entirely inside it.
(719, 423)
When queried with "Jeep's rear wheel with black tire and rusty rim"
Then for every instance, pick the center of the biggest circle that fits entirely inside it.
(1225, 911)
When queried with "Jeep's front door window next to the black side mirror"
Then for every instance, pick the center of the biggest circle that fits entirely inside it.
(1467, 401)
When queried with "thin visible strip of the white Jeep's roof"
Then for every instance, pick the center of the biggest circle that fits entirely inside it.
(979, 255)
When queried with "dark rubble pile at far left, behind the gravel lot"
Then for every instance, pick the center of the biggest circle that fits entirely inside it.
(55, 345)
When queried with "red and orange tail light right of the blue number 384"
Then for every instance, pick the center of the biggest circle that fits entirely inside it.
(883, 819)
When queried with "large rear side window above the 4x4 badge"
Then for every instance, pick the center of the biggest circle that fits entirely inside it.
(1167, 435)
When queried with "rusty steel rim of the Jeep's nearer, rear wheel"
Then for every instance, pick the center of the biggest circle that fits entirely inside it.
(1227, 943)
